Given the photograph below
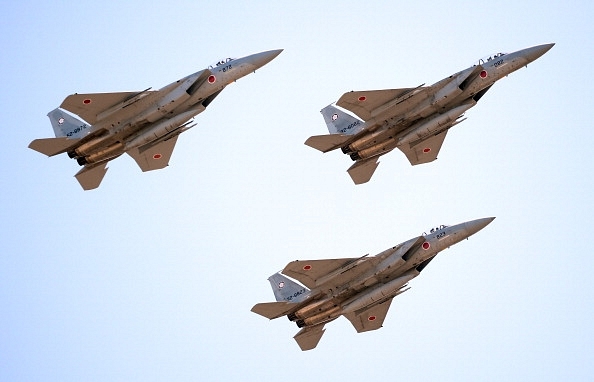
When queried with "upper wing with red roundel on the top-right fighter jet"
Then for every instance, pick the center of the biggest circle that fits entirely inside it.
(363, 103)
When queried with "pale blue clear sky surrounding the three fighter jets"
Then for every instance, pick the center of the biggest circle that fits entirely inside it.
(152, 276)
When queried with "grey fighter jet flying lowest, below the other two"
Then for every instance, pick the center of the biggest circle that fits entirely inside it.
(361, 289)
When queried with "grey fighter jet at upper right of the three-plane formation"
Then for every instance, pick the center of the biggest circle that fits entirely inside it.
(414, 120)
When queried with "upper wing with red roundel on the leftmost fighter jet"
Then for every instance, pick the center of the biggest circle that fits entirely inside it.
(88, 106)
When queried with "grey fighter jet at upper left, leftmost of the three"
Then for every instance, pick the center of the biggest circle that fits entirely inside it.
(144, 124)
